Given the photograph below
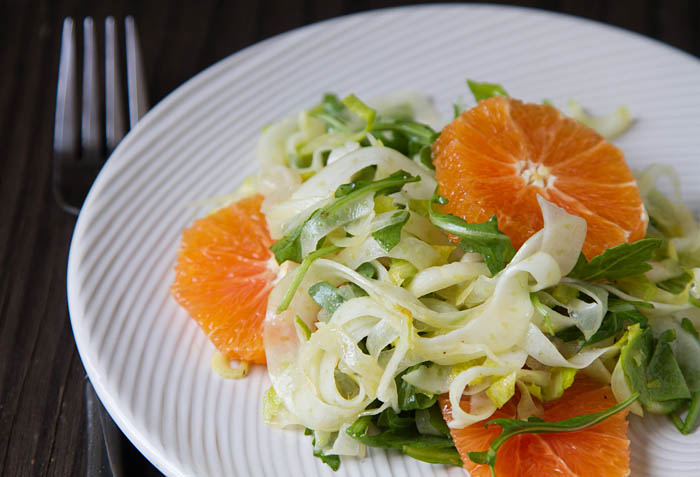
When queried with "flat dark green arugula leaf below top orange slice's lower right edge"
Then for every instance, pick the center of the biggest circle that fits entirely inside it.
(617, 262)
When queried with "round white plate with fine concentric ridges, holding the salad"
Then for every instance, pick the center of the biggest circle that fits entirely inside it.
(150, 363)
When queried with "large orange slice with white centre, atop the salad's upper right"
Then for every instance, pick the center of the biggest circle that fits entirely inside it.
(498, 156)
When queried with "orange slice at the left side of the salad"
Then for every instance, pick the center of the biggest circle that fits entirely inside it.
(223, 276)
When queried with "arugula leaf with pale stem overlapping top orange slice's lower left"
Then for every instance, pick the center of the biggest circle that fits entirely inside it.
(484, 238)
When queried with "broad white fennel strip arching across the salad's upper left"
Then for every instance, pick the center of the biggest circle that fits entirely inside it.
(282, 218)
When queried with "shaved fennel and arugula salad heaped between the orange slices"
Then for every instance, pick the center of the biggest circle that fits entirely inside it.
(394, 323)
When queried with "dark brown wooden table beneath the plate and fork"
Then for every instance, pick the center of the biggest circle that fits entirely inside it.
(42, 418)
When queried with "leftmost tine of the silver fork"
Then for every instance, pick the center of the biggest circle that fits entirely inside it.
(65, 132)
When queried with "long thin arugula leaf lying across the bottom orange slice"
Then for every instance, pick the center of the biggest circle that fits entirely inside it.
(534, 425)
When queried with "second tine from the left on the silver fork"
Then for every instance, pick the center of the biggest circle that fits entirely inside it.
(90, 123)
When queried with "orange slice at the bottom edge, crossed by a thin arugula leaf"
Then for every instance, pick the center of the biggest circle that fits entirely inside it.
(602, 450)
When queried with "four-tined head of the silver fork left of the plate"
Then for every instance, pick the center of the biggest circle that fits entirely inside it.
(75, 165)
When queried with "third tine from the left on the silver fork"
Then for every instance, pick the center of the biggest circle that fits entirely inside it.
(114, 116)
